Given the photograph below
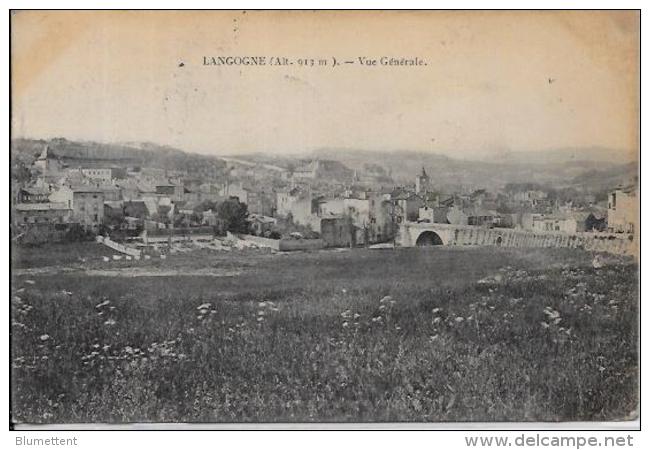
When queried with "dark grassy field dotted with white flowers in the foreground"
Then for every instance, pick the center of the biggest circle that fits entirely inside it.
(437, 334)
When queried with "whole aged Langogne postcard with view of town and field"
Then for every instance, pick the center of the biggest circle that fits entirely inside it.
(324, 218)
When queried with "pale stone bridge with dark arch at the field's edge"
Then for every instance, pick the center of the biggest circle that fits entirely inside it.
(412, 234)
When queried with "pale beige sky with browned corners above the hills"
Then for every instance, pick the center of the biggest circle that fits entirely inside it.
(493, 81)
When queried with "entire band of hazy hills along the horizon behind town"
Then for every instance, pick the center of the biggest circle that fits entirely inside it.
(590, 169)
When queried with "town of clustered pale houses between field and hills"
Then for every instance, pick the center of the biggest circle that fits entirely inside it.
(60, 195)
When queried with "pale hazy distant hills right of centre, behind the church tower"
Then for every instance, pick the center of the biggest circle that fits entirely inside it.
(592, 168)
